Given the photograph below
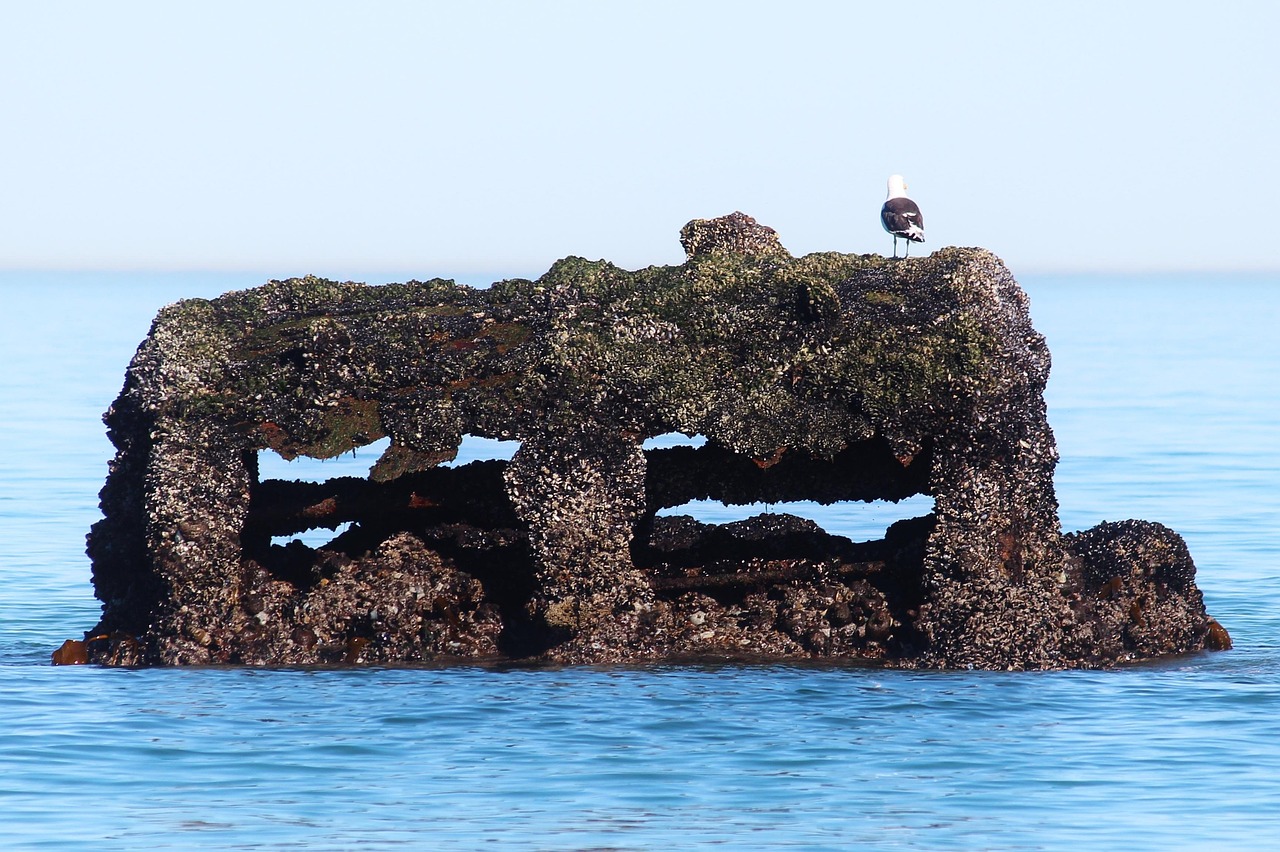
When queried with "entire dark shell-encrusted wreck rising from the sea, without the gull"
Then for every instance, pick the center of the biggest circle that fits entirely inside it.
(830, 378)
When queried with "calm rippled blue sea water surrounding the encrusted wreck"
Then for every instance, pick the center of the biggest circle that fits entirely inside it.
(1164, 400)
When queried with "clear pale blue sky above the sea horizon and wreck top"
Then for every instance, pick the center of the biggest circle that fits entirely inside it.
(496, 138)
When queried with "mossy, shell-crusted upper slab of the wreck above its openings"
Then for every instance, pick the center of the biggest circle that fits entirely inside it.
(744, 343)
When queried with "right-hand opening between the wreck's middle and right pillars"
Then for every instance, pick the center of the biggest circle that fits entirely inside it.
(752, 530)
